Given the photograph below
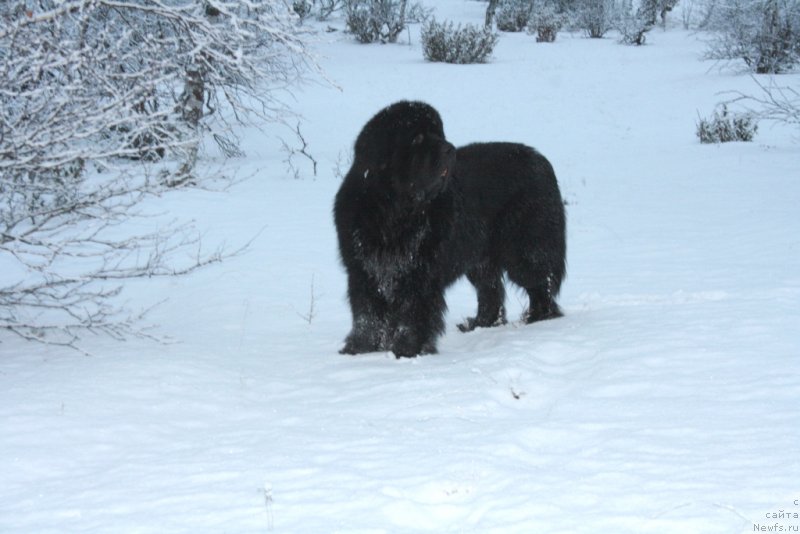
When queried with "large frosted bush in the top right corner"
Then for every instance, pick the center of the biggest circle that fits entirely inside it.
(765, 34)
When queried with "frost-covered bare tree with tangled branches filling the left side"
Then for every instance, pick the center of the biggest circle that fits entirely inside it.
(103, 105)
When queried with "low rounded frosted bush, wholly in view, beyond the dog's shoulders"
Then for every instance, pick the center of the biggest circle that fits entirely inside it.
(467, 44)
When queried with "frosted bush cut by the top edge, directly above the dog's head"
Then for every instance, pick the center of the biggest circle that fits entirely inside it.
(381, 21)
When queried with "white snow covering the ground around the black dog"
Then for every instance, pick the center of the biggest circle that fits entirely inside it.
(664, 401)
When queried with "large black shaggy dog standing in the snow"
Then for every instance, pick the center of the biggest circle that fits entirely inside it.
(414, 214)
